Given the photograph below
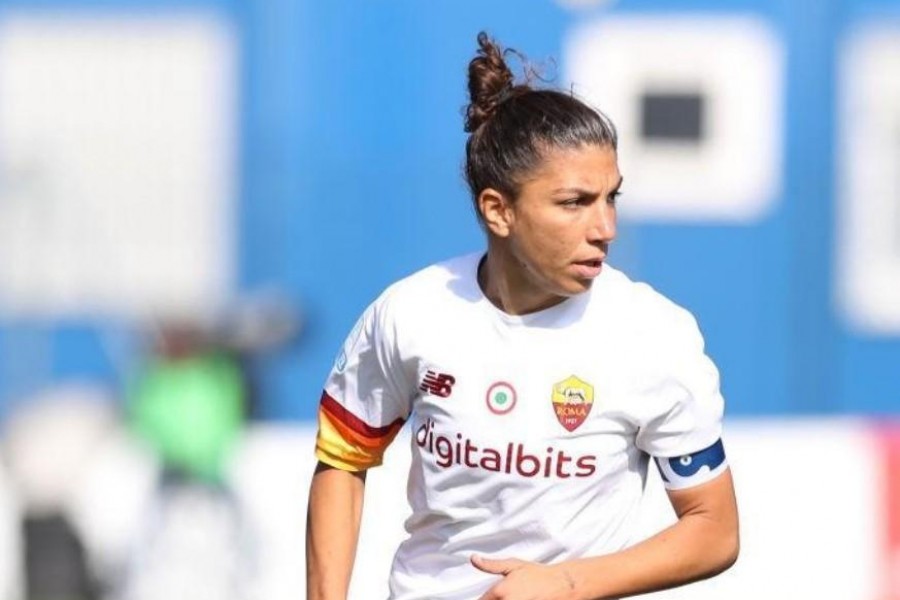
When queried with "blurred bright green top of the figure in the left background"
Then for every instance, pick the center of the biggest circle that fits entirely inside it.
(190, 410)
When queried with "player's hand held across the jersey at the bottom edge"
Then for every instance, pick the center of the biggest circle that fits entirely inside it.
(526, 580)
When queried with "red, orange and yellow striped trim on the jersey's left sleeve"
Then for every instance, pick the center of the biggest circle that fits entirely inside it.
(347, 442)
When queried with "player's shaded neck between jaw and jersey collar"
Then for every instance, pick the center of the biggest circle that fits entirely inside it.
(506, 282)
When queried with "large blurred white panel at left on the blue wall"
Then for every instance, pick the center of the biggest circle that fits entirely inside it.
(117, 163)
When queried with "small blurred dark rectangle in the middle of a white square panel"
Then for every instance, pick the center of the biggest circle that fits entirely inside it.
(667, 116)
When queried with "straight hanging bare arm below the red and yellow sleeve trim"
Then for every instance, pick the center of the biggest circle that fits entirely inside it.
(332, 531)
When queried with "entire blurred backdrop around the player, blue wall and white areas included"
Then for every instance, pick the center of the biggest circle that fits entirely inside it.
(199, 197)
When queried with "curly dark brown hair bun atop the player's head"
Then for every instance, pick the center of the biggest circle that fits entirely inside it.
(490, 82)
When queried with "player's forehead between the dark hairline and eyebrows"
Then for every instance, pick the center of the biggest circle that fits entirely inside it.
(587, 166)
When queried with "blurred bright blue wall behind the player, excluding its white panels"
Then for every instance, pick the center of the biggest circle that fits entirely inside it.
(347, 176)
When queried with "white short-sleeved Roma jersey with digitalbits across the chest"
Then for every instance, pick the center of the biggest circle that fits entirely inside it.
(530, 434)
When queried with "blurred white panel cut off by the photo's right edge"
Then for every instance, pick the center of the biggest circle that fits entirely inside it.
(868, 198)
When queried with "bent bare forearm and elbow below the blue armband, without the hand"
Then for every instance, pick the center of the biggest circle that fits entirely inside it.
(702, 543)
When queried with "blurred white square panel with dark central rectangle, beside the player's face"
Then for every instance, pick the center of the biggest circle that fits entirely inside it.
(698, 102)
